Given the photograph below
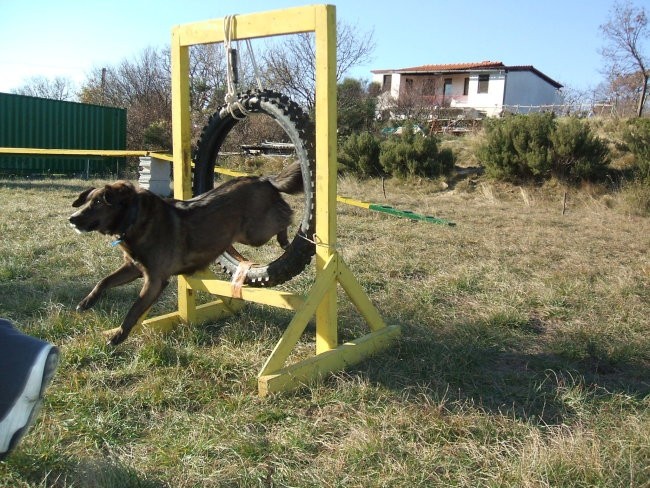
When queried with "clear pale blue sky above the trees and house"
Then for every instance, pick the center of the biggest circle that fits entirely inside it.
(69, 38)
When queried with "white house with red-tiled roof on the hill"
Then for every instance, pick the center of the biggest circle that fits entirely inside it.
(487, 86)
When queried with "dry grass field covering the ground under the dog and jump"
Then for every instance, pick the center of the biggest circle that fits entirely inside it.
(524, 359)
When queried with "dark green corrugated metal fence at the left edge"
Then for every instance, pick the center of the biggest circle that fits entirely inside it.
(31, 122)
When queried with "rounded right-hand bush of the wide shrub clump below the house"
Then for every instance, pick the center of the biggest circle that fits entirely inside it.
(577, 154)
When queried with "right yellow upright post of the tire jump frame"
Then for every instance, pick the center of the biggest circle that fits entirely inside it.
(326, 314)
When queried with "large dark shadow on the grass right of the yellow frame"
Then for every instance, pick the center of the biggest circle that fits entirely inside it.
(473, 364)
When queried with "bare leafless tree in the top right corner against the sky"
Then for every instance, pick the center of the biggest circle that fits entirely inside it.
(624, 53)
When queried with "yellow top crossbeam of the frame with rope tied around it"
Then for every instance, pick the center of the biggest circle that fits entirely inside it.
(250, 26)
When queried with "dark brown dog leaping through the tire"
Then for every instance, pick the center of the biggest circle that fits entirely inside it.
(162, 237)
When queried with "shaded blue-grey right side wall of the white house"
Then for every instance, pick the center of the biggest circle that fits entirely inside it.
(527, 89)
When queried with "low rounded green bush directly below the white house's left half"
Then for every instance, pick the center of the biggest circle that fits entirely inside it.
(411, 154)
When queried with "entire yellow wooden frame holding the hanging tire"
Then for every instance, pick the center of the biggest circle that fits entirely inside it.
(330, 267)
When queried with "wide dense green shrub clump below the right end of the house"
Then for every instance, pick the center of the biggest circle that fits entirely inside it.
(538, 146)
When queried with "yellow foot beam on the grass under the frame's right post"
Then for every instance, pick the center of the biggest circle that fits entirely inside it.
(316, 367)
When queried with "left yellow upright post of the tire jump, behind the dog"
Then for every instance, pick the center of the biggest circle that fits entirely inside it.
(182, 159)
